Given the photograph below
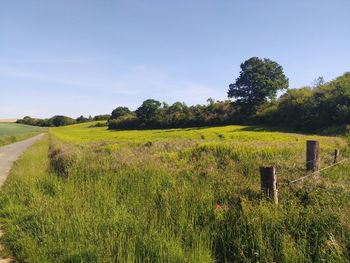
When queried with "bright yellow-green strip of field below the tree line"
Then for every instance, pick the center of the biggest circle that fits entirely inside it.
(86, 133)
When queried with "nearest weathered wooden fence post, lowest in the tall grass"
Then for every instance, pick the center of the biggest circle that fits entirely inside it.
(268, 180)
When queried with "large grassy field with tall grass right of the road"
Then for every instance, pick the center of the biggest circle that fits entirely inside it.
(184, 195)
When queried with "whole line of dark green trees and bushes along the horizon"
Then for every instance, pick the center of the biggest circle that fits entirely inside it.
(324, 105)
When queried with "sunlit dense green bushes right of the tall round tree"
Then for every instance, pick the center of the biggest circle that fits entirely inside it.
(311, 109)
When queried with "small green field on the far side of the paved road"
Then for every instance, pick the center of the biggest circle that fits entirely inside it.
(12, 132)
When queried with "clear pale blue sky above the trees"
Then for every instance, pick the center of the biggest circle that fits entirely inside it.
(84, 57)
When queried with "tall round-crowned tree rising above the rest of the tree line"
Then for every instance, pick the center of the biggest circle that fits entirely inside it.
(258, 82)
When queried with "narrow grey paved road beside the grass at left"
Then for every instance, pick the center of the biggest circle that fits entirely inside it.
(10, 153)
